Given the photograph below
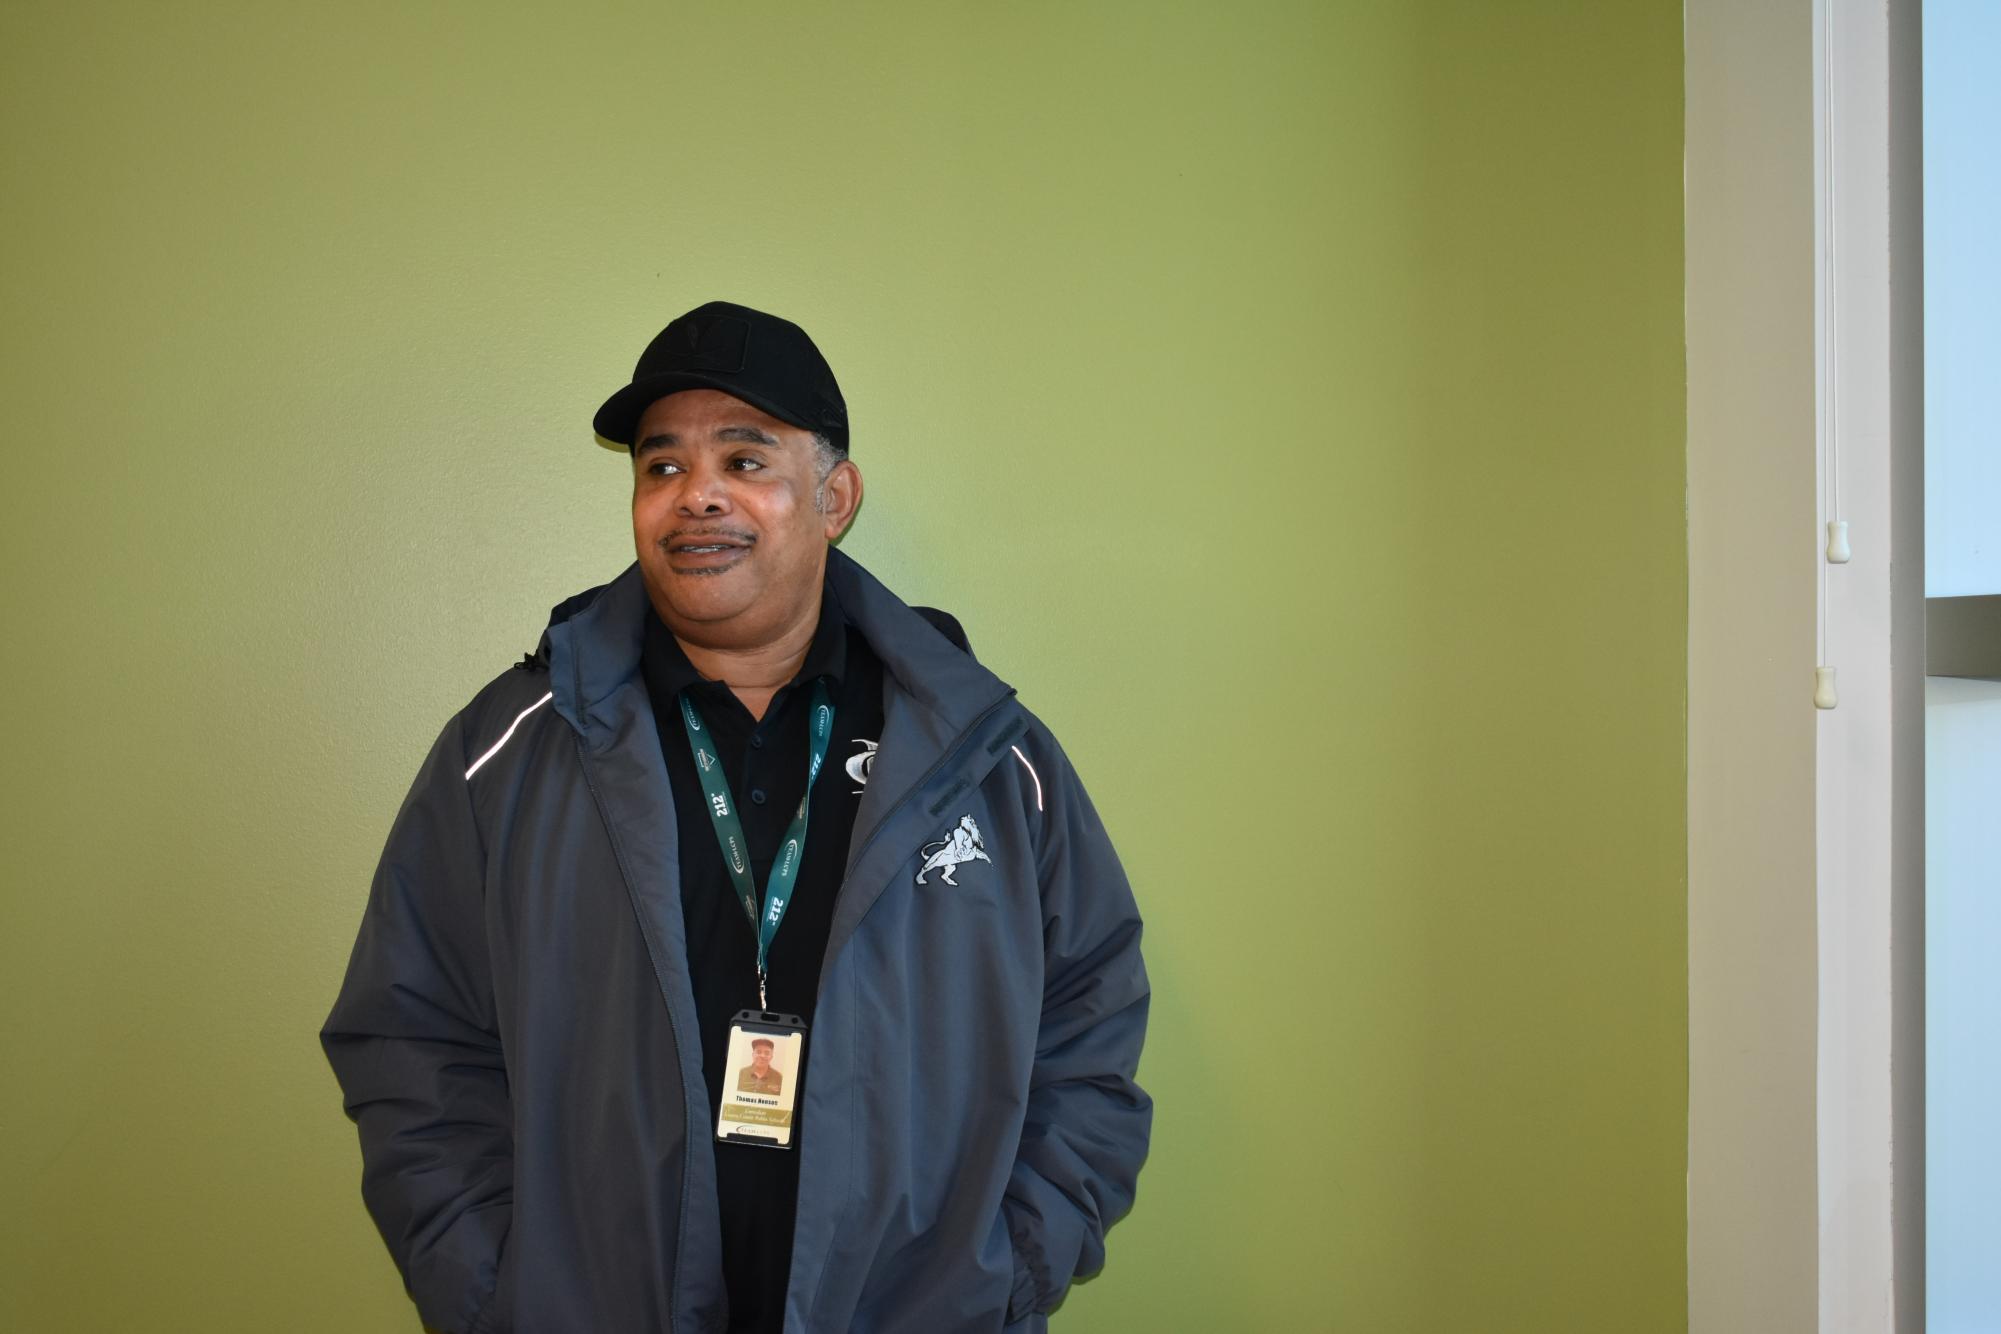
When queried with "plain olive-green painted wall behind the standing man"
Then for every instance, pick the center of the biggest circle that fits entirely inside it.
(1300, 377)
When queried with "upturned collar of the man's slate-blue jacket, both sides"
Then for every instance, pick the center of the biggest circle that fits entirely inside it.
(593, 647)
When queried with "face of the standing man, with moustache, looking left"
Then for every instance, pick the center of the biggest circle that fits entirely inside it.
(731, 519)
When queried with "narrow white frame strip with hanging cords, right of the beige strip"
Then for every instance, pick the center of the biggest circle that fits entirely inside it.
(1872, 749)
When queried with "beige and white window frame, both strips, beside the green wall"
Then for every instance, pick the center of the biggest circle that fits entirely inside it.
(1806, 827)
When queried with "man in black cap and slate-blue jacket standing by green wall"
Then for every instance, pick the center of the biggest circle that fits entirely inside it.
(623, 853)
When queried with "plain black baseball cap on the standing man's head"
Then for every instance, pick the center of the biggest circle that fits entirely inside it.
(749, 355)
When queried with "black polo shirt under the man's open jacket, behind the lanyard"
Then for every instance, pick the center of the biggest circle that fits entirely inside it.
(765, 763)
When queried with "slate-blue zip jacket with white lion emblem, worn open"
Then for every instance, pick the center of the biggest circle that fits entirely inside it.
(517, 1029)
